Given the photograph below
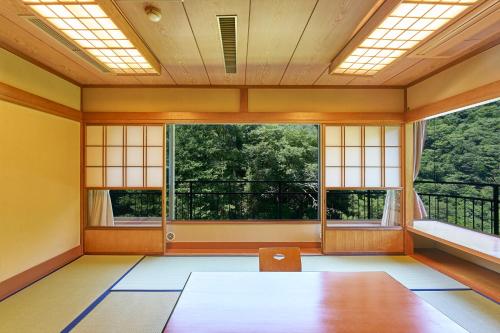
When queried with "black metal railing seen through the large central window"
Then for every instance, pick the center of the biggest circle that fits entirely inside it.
(246, 200)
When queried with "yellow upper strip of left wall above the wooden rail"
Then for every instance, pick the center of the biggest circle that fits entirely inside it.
(22, 74)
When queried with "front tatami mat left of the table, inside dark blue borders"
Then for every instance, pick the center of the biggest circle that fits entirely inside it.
(130, 312)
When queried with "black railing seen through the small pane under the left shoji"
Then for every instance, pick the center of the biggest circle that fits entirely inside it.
(136, 203)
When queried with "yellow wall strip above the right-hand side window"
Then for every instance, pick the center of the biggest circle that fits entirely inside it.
(472, 73)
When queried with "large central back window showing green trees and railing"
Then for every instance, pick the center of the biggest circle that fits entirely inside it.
(246, 172)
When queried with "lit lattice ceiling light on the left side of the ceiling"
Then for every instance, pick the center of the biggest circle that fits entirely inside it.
(88, 24)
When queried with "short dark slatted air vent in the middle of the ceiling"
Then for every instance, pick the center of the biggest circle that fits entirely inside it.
(227, 29)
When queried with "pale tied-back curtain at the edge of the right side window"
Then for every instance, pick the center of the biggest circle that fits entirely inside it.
(419, 127)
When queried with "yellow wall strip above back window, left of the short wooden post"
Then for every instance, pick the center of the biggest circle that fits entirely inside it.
(160, 100)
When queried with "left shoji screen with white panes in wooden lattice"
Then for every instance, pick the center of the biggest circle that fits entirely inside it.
(124, 156)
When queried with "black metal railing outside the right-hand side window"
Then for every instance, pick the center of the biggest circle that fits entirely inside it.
(470, 205)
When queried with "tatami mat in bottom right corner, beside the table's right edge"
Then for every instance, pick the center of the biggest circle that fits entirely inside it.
(474, 312)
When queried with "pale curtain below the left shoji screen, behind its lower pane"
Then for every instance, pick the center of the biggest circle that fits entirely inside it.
(100, 211)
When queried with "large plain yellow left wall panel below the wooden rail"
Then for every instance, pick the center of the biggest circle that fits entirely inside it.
(40, 192)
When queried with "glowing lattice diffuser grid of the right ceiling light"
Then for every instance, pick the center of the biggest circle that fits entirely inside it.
(408, 24)
